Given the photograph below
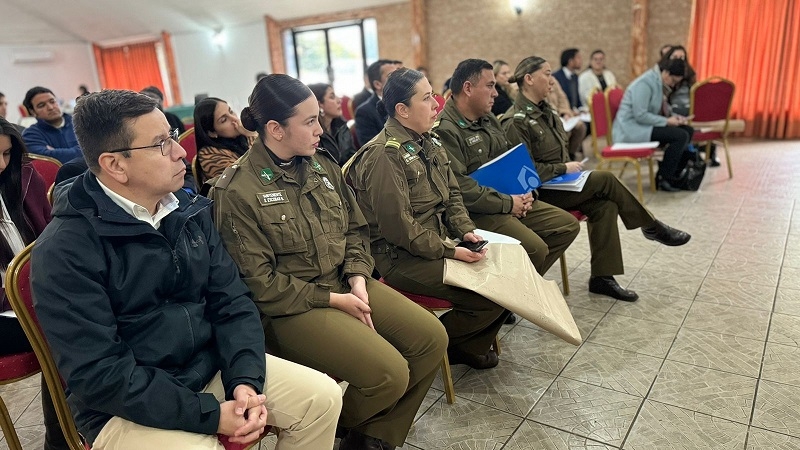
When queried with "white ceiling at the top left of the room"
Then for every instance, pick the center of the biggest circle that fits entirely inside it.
(27, 22)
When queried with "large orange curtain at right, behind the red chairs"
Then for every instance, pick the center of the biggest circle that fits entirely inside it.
(755, 44)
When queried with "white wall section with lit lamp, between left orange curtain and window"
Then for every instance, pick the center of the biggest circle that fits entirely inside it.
(227, 71)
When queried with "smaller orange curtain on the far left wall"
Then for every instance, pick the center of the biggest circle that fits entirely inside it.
(133, 67)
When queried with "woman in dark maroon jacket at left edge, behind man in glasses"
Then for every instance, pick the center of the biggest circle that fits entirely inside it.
(26, 211)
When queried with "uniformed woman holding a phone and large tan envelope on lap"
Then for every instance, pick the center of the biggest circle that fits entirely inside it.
(412, 203)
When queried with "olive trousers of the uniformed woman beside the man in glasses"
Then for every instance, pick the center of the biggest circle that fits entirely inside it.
(388, 371)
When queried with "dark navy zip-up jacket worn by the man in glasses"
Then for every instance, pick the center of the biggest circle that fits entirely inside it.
(139, 320)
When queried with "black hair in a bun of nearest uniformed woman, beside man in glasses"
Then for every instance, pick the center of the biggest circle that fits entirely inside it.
(275, 97)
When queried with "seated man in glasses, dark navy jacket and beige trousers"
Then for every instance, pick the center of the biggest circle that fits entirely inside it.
(152, 329)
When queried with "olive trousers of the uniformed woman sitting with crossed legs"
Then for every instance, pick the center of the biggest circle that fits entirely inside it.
(603, 199)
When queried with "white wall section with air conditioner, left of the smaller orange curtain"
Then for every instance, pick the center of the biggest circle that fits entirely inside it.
(72, 65)
